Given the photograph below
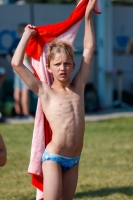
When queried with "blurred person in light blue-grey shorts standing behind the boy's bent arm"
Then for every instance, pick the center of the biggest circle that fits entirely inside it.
(21, 90)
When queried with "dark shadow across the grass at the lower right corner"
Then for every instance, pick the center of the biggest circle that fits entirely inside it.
(105, 192)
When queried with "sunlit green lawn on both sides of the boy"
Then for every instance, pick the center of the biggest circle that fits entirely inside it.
(106, 166)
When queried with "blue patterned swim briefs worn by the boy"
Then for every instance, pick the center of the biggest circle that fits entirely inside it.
(65, 162)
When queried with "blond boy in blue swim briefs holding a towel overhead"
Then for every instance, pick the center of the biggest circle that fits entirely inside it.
(63, 105)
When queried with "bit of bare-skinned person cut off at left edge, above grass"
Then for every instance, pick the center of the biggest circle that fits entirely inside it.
(3, 152)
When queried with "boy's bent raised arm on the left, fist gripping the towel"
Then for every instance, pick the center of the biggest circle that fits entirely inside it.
(18, 57)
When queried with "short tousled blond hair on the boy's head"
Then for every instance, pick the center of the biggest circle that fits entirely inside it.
(59, 46)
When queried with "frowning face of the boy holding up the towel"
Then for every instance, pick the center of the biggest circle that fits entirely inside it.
(61, 67)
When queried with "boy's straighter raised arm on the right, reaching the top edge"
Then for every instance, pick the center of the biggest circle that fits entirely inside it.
(89, 45)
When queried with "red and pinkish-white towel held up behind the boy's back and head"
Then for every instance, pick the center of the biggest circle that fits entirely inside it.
(36, 48)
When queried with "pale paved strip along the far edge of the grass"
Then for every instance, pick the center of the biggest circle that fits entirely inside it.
(90, 117)
